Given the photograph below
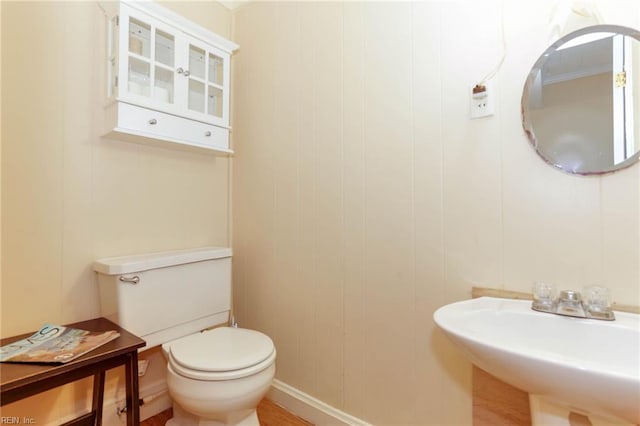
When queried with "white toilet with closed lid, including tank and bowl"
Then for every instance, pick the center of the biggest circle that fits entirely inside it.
(215, 377)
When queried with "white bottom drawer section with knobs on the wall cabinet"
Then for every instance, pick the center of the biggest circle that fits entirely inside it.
(145, 123)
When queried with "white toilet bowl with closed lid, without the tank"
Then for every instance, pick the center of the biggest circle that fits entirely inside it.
(219, 376)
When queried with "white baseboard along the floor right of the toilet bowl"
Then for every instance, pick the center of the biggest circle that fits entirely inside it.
(309, 408)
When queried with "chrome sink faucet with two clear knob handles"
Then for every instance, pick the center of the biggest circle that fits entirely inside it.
(570, 302)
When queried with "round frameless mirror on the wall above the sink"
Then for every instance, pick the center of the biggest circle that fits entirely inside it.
(581, 101)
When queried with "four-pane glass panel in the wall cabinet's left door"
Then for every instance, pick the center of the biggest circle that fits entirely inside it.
(151, 59)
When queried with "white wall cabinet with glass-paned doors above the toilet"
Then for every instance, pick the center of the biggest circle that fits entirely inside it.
(168, 79)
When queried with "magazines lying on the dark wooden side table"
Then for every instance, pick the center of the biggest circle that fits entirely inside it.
(55, 344)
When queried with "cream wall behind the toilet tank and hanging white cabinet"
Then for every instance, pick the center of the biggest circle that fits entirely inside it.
(70, 196)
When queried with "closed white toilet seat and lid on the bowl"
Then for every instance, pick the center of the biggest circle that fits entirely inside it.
(223, 353)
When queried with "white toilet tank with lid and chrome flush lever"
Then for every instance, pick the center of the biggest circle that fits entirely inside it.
(164, 296)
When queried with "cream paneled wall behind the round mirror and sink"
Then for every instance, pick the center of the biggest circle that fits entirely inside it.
(364, 197)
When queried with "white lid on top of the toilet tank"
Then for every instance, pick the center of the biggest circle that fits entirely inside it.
(143, 262)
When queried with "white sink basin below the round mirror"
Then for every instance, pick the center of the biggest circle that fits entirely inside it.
(587, 365)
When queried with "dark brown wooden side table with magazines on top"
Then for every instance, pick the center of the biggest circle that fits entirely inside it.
(18, 381)
